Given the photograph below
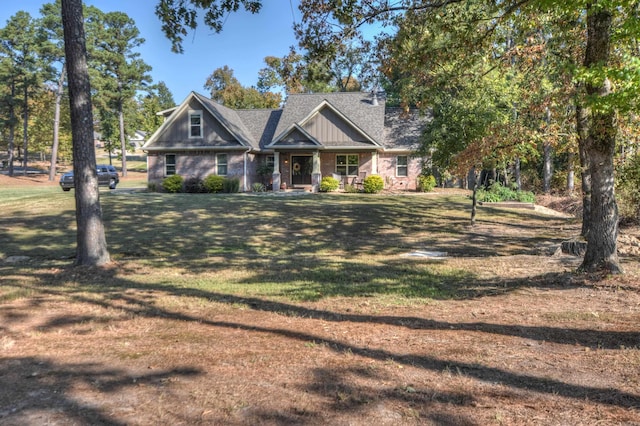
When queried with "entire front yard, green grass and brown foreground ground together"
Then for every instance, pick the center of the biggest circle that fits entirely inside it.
(310, 309)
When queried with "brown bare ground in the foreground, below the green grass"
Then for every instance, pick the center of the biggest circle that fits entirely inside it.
(529, 342)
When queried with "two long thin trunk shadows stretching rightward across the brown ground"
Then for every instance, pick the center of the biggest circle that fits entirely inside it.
(585, 337)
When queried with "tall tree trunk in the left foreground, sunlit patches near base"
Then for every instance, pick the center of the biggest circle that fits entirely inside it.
(91, 242)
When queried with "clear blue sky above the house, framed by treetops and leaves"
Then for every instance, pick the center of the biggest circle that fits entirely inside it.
(242, 45)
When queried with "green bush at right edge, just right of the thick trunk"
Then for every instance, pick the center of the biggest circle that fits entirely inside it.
(628, 190)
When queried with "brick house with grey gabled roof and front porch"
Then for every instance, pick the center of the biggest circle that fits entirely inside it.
(346, 135)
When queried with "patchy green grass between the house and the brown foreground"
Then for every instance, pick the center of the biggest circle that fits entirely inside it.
(303, 248)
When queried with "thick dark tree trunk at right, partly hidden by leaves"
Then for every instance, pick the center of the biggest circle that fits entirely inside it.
(601, 254)
